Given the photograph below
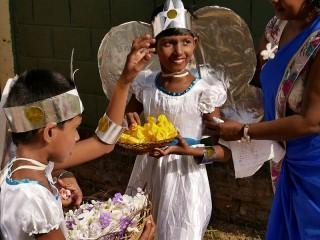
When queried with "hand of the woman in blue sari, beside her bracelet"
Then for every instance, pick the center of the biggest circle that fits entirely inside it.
(229, 130)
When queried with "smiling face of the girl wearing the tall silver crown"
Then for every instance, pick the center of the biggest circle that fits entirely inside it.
(175, 52)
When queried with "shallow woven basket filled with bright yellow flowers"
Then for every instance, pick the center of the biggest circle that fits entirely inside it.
(155, 133)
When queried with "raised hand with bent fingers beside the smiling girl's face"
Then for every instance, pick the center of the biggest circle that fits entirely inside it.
(140, 55)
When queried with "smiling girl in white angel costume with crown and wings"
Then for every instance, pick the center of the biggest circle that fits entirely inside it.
(184, 92)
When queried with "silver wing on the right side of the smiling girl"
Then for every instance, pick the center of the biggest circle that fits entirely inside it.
(227, 50)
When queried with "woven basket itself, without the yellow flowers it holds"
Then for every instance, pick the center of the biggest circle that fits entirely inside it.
(142, 148)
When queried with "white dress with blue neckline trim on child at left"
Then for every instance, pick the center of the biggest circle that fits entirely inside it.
(28, 208)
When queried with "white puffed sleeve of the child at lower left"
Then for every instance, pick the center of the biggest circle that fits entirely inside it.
(39, 211)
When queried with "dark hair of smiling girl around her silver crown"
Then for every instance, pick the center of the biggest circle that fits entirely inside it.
(171, 31)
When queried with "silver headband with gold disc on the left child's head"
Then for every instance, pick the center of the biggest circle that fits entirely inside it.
(37, 114)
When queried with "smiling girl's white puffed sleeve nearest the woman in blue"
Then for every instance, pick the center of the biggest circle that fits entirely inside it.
(212, 96)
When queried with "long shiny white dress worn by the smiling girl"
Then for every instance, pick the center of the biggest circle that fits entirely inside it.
(180, 191)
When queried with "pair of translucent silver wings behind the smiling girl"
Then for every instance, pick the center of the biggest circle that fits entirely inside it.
(225, 51)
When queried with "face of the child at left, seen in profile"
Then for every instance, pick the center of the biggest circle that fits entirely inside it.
(65, 139)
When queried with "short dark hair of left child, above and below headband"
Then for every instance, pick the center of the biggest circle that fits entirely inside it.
(32, 86)
